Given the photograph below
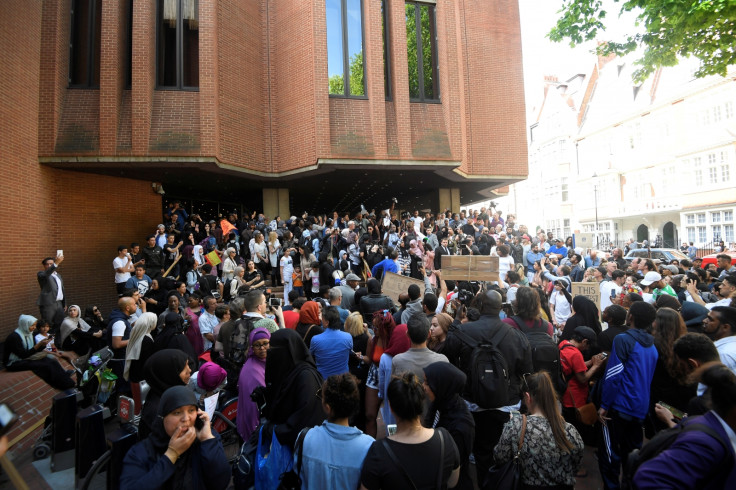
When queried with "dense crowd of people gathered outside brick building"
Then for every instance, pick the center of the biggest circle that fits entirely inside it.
(396, 391)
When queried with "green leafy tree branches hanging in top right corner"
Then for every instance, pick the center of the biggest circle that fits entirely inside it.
(705, 29)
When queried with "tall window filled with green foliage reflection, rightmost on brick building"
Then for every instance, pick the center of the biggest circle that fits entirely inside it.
(421, 47)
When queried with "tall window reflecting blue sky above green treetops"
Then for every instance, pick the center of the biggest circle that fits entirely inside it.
(345, 60)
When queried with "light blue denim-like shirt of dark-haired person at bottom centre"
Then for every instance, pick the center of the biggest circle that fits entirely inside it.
(333, 456)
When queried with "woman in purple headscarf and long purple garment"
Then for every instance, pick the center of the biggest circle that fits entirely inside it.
(252, 375)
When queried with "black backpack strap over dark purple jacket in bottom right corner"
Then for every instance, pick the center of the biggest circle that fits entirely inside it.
(661, 442)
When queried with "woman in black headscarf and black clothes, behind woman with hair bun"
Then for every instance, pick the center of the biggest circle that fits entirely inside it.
(443, 384)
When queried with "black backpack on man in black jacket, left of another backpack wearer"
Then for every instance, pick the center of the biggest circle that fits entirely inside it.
(488, 376)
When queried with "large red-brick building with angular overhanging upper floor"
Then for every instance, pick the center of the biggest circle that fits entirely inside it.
(274, 105)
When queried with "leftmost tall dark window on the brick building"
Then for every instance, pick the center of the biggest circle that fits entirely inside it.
(84, 45)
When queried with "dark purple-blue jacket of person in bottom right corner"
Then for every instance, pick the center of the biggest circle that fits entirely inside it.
(694, 460)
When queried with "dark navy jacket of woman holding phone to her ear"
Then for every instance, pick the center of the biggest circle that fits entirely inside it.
(145, 468)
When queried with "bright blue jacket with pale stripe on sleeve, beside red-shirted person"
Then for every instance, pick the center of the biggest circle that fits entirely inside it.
(629, 373)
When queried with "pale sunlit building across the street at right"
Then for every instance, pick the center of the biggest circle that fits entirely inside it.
(650, 162)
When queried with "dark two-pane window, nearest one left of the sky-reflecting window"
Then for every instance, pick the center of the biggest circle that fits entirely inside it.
(177, 57)
